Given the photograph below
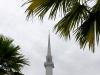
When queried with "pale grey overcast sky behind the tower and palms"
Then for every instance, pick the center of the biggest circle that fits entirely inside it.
(32, 37)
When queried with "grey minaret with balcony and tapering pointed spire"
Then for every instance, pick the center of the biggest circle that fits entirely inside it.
(49, 64)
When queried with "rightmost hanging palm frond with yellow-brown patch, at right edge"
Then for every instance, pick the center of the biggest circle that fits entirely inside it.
(89, 31)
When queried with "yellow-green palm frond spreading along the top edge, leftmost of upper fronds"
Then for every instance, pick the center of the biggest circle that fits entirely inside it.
(41, 7)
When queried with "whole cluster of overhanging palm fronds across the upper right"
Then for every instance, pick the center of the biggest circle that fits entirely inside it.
(78, 16)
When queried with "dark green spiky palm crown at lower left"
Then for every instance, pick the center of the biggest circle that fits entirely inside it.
(11, 61)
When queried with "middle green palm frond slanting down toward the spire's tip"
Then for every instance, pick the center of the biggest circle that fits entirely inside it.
(77, 14)
